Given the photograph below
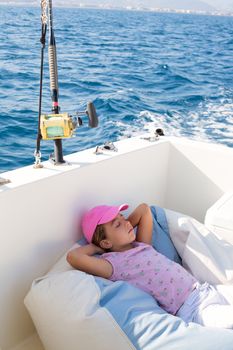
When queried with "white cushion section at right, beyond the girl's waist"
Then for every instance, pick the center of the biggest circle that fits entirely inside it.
(208, 257)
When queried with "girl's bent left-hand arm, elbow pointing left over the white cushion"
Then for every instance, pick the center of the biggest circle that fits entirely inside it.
(81, 258)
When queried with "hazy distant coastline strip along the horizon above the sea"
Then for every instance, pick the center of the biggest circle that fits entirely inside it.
(127, 8)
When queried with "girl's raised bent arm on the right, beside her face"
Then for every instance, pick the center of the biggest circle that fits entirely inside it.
(142, 218)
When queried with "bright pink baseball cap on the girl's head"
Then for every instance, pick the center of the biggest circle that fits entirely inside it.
(99, 215)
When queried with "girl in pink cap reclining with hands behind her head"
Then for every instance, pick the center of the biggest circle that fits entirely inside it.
(130, 257)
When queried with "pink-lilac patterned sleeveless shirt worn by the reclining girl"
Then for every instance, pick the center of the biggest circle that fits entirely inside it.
(142, 266)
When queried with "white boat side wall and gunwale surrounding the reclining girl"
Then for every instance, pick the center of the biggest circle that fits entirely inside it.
(37, 208)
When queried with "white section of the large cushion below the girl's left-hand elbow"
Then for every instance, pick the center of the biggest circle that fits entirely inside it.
(64, 306)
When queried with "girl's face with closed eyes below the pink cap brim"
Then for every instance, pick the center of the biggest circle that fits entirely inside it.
(119, 234)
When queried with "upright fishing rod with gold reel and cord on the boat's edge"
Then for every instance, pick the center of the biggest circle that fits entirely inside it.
(56, 126)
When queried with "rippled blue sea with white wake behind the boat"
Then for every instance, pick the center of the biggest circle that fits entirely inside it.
(142, 70)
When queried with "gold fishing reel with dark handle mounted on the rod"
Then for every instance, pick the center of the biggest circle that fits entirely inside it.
(61, 126)
